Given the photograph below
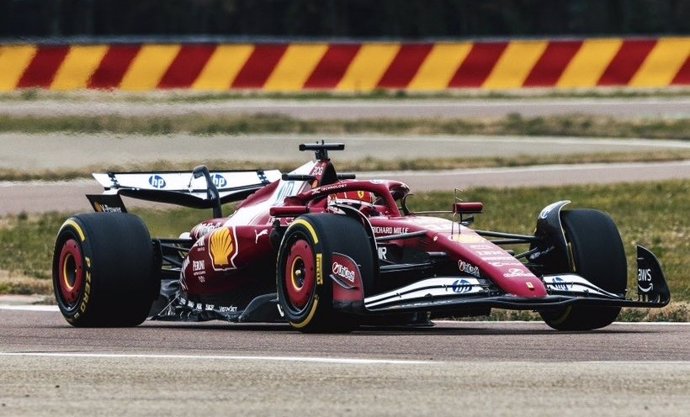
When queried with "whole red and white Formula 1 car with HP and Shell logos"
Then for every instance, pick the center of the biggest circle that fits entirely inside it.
(326, 252)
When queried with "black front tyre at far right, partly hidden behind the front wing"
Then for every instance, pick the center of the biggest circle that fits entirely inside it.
(598, 256)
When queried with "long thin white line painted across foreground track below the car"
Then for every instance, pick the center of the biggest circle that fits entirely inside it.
(345, 361)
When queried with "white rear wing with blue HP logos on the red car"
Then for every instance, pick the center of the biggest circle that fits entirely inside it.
(198, 189)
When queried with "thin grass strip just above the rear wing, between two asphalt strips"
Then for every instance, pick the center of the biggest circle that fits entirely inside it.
(361, 165)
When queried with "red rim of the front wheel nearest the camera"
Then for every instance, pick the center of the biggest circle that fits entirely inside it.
(300, 275)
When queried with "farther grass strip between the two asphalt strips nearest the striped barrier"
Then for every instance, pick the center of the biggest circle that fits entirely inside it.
(208, 124)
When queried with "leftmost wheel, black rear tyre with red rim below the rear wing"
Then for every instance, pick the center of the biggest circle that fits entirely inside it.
(103, 270)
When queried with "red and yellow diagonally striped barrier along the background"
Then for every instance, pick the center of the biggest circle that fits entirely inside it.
(350, 67)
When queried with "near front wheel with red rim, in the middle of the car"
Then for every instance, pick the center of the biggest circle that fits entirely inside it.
(305, 289)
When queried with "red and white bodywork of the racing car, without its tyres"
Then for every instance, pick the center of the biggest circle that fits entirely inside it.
(425, 264)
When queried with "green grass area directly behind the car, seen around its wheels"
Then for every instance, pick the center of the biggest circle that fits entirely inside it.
(651, 214)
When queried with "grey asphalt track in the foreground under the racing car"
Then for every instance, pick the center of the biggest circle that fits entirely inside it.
(517, 369)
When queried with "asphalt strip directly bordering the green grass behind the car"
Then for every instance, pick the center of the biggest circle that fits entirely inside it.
(69, 196)
